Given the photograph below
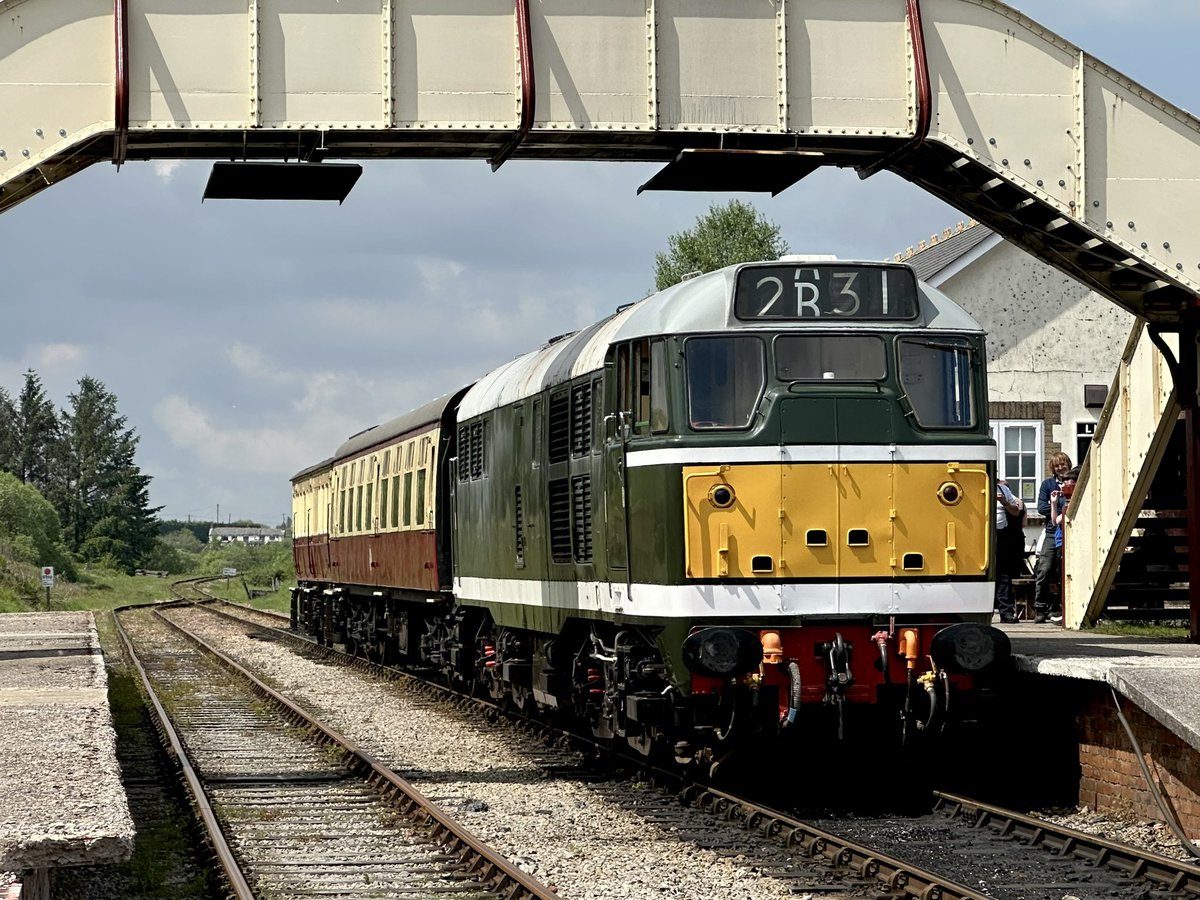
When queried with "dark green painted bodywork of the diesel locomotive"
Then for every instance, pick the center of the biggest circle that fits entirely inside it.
(517, 457)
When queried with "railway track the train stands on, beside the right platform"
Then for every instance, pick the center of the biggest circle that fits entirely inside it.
(976, 850)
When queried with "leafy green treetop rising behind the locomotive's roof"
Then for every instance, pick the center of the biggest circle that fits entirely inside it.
(729, 235)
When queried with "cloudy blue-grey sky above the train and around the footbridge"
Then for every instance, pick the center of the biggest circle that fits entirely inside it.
(248, 340)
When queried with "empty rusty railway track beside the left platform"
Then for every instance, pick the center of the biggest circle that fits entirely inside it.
(307, 814)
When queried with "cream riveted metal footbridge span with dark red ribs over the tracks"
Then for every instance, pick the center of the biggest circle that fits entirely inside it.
(968, 99)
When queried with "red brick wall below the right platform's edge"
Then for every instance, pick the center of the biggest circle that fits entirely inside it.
(1112, 781)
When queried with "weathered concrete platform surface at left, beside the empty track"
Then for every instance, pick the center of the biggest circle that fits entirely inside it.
(62, 800)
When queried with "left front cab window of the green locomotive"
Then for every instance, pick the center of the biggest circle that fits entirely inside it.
(725, 380)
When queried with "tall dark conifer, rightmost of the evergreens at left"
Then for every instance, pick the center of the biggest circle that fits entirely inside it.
(107, 514)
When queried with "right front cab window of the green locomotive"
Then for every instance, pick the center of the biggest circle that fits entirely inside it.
(938, 377)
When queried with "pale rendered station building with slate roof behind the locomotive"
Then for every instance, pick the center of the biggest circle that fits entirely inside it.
(1053, 346)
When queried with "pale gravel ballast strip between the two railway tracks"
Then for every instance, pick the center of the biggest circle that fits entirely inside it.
(568, 833)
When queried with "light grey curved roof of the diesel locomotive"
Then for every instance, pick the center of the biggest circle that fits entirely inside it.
(703, 304)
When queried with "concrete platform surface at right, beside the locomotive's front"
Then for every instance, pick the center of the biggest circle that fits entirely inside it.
(1161, 676)
